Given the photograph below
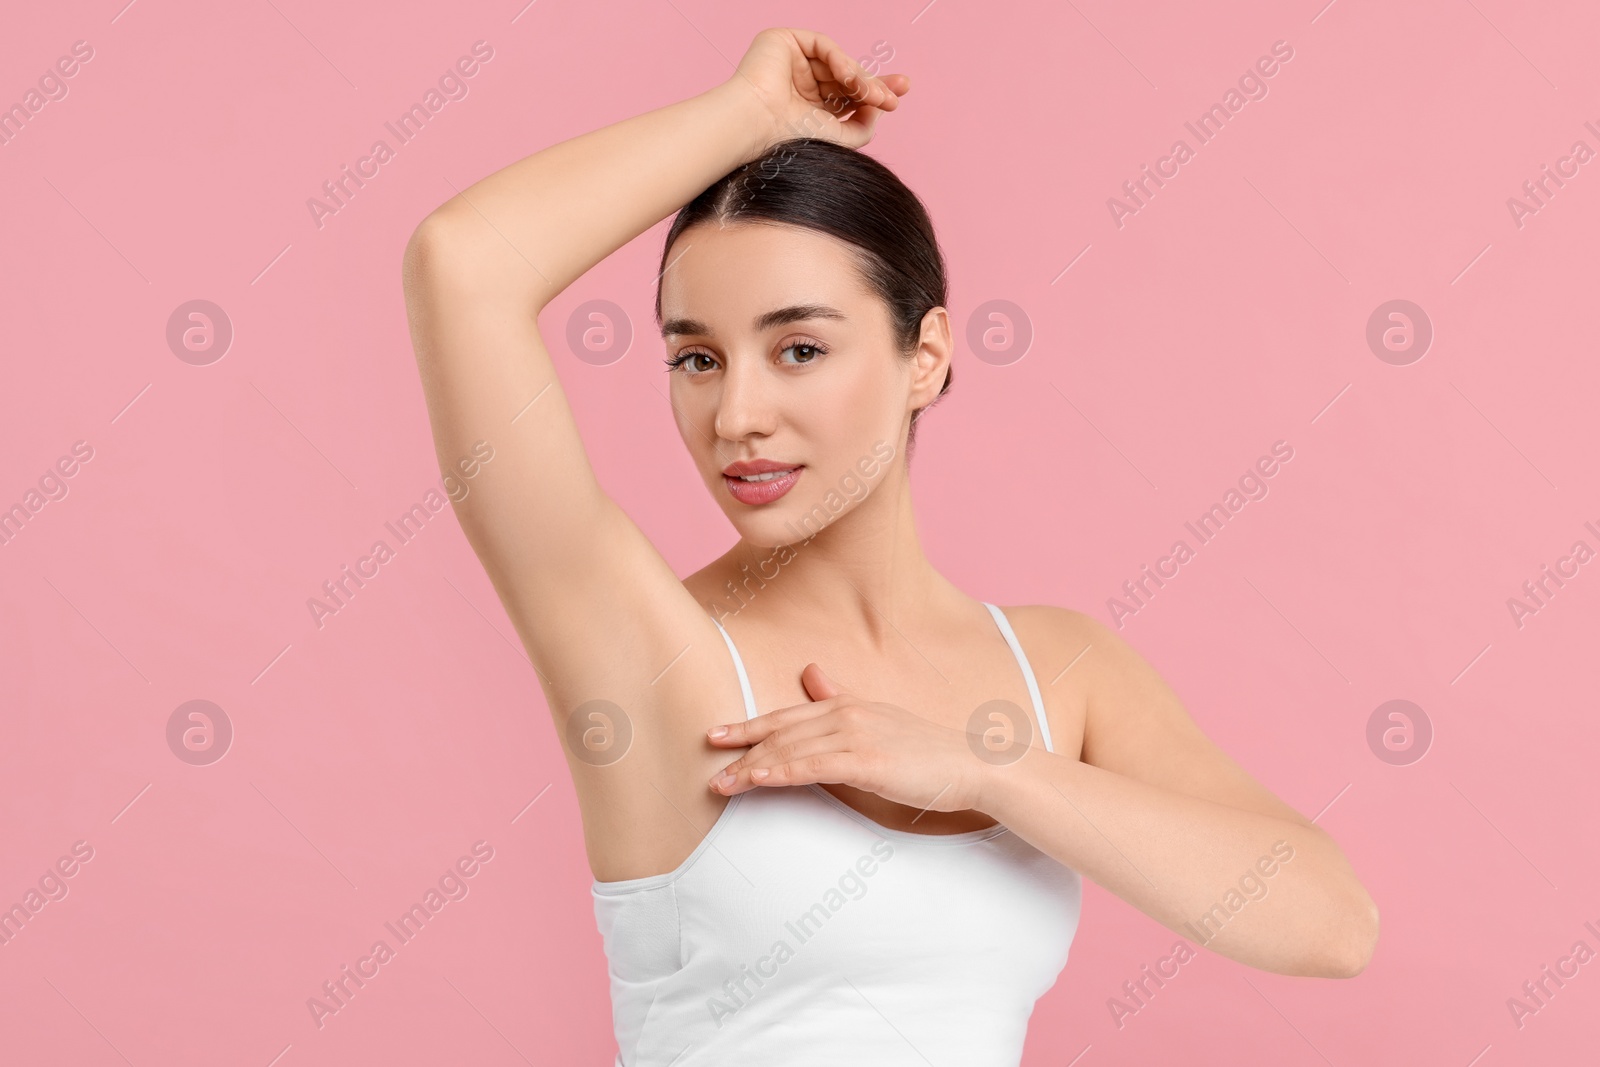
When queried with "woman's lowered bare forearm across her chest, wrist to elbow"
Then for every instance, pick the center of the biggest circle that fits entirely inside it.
(1266, 892)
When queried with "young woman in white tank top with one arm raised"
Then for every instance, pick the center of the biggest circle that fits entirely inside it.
(834, 805)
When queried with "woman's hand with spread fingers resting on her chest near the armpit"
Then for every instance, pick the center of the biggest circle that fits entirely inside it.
(847, 740)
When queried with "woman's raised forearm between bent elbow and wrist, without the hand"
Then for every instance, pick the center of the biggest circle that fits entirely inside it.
(567, 207)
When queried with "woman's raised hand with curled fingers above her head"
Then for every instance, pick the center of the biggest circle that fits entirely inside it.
(812, 89)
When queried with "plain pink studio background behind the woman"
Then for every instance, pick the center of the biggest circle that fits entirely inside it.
(1225, 316)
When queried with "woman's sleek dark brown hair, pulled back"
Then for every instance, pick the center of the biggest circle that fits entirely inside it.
(847, 194)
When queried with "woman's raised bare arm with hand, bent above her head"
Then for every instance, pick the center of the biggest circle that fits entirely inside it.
(572, 570)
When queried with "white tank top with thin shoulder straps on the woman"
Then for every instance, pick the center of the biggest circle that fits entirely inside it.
(801, 932)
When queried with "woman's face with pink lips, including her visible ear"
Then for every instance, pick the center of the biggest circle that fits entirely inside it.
(786, 361)
